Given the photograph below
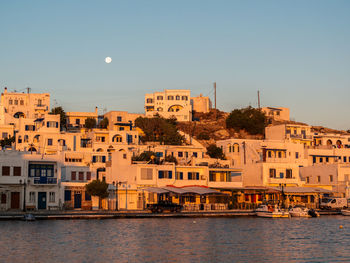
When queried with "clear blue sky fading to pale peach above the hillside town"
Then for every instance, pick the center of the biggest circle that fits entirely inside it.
(296, 53)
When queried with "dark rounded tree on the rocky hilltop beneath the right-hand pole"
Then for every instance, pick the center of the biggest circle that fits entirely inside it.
(249, 119)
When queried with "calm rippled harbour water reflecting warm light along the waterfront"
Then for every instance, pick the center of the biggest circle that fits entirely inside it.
(245, 239)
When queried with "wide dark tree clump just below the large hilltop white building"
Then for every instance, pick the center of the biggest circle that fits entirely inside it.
(158, 129)
